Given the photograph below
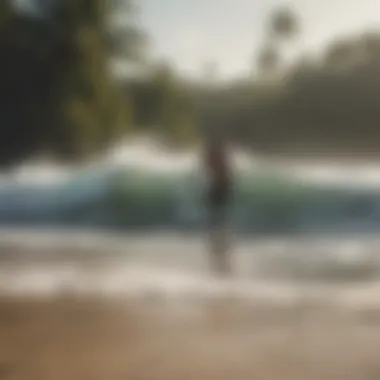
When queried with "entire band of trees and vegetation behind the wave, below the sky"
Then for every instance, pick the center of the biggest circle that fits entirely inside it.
(59, 95)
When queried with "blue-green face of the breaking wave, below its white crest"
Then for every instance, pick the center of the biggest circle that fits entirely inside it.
(132, 198)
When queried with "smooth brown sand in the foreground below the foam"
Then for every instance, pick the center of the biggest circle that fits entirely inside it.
(77, 338)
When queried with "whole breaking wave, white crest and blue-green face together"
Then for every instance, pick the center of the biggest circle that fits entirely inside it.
(141, 185)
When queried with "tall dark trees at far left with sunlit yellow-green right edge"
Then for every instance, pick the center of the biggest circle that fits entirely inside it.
(58, 94)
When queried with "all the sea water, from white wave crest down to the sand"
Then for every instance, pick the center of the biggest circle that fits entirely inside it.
(132, 224)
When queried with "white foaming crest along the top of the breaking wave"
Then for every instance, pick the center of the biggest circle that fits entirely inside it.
(148, 154)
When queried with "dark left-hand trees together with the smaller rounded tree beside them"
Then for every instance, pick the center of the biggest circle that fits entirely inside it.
(59, 95)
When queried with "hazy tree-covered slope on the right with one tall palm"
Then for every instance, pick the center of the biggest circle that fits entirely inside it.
(322, 105)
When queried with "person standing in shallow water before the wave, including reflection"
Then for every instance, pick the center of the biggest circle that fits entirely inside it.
(218, 196)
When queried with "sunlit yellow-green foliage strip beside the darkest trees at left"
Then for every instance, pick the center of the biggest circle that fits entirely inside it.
(93, 109)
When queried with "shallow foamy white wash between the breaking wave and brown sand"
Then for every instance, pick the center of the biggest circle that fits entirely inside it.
(164, 267)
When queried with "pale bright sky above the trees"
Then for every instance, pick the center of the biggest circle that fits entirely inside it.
(229, 32)
